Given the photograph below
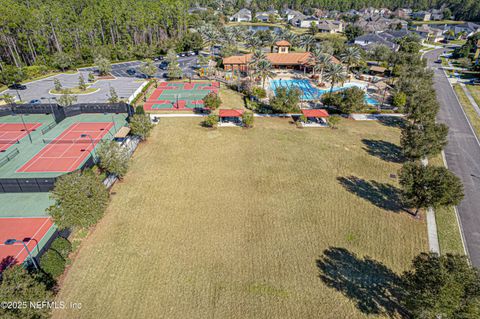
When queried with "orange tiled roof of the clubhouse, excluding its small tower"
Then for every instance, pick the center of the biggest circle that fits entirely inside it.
(292, 58)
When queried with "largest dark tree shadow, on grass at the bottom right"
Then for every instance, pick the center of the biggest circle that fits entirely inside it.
(374, 288)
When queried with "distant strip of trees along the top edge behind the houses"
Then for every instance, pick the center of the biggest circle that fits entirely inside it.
(463, 9)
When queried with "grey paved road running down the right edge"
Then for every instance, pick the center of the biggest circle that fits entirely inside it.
(463, 157)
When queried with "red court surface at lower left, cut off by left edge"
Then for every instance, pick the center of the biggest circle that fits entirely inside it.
(29, 230)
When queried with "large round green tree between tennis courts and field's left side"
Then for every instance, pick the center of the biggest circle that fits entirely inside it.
(80, 200)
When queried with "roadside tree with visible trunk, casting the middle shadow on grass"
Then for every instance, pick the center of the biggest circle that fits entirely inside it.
(429, 186)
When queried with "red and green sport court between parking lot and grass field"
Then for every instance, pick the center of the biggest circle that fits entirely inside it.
(180, 95)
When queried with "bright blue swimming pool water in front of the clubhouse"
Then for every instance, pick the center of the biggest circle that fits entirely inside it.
(312, 93)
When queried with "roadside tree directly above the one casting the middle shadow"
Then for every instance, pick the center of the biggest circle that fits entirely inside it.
(421, 141)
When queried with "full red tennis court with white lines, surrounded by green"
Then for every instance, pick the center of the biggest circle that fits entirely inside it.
(69, 150)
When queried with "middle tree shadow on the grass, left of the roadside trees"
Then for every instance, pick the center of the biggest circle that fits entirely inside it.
(382, 195)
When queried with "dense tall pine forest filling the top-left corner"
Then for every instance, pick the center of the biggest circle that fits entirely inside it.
(59, 31)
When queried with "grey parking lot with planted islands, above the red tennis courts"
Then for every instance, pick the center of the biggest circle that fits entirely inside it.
(39, 89)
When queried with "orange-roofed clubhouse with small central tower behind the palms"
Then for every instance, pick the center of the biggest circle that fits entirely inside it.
(281, 59)
